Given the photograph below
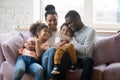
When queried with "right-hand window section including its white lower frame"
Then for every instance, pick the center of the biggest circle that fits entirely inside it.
(106, 13)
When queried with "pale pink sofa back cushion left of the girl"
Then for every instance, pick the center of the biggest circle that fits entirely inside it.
(10, 43)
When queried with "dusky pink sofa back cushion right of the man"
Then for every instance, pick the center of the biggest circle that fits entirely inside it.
(107, 50)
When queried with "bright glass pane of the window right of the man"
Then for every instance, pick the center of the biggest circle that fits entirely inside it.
(107, 12)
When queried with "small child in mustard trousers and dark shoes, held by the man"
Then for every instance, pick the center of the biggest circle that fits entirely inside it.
(62, 47)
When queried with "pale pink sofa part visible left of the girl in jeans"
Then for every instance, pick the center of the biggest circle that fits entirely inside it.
(9, 43)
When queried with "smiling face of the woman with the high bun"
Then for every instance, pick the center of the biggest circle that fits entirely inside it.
(51, 20)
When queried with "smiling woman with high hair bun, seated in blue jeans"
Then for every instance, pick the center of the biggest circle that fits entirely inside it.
(51, 18)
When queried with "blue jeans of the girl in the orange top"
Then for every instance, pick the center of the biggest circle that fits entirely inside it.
(27, 64)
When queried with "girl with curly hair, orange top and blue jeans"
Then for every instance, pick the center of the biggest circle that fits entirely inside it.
(29, 58)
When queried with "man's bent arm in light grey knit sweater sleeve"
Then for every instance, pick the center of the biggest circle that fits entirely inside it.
(87, 43)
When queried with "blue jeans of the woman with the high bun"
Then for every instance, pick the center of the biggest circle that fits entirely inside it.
(48, 61)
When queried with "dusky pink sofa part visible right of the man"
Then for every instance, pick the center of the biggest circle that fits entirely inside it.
(106, 56)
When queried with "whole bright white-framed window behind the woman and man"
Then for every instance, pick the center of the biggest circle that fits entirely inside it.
(100, 14)
